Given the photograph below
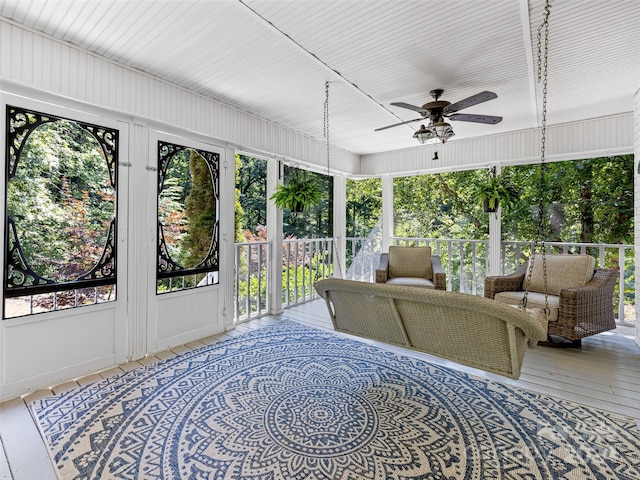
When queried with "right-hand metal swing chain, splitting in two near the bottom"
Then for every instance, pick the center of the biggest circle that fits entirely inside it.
(539, 242)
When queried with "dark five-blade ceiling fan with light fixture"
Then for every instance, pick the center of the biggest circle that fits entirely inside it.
(437, 110)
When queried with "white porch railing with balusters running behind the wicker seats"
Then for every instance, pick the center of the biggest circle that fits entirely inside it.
(305, 261)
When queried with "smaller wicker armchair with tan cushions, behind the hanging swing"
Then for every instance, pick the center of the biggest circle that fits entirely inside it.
(411, 267)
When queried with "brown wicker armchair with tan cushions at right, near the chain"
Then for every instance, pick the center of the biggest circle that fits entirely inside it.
(576, 310)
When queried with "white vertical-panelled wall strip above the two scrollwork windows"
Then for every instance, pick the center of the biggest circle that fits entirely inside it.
(33, 60)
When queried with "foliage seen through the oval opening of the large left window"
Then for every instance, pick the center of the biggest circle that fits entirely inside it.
(61, 200)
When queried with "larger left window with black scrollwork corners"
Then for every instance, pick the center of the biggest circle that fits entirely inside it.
(60, 241)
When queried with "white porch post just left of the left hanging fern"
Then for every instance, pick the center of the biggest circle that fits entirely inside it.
(275, 171)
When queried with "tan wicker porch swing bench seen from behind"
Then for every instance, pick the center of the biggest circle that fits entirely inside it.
(466, 329)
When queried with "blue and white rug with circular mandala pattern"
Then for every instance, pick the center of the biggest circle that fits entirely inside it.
(290, 402)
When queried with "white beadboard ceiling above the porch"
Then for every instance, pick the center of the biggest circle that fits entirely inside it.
(271, 58)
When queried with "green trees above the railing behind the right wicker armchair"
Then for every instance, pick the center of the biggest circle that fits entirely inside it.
(588, 201)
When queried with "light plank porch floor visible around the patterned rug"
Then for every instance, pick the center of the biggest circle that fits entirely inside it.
(604, 373)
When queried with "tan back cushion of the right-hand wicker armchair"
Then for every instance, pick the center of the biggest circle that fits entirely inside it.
(563, 271)
